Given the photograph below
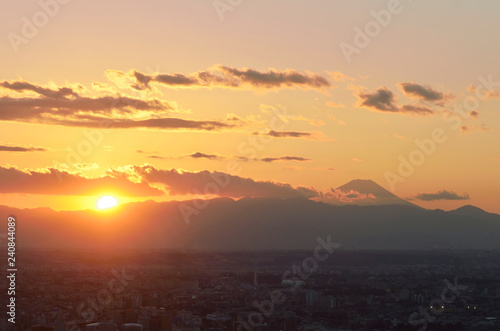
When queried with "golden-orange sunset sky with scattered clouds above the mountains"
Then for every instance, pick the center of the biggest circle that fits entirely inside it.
(146, 100)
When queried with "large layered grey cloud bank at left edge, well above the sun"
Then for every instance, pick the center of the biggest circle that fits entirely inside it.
(65, 107)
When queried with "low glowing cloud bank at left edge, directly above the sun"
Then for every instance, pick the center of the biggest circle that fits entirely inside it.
(53, 181)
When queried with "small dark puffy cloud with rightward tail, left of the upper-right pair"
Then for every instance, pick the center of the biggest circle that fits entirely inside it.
(383, 100)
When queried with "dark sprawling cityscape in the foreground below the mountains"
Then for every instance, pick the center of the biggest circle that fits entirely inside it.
(325, 289)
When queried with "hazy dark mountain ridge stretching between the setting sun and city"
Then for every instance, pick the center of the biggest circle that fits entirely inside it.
(254, 224)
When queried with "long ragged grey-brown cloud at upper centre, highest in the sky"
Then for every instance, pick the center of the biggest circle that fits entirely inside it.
(226, 77)
